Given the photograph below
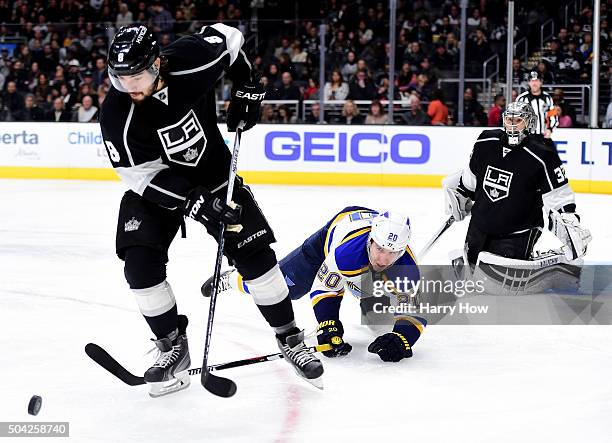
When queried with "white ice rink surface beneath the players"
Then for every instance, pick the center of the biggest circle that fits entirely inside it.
(62, 286)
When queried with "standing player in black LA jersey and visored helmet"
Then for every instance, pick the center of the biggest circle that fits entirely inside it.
(159, 125)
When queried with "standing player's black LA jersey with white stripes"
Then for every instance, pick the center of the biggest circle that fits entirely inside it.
(166, 145)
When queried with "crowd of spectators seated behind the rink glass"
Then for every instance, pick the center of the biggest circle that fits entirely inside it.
(53, 56)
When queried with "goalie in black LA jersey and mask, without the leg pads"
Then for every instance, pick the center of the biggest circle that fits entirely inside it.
(511, 175)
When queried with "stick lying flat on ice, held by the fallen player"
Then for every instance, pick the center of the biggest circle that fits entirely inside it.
(105, 360)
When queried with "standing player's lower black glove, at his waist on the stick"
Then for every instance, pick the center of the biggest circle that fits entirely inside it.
(203, 206)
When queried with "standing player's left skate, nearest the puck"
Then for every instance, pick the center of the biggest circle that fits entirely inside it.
(170, 372)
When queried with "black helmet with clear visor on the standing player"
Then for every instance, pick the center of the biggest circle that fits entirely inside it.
(133, 51)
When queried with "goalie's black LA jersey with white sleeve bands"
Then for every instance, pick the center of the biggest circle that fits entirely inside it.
(510, 186)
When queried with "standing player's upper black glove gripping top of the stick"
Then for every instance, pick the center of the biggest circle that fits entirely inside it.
(245, 105)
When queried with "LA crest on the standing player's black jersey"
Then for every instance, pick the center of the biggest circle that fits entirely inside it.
(184, 141)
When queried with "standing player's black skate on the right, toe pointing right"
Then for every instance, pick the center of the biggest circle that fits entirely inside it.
(303, 361)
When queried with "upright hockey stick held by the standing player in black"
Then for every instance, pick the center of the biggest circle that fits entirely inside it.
(223, 387)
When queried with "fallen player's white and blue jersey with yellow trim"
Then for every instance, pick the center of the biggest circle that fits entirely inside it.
(335, 259)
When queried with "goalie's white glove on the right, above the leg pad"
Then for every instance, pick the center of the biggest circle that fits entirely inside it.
(566, 227)
